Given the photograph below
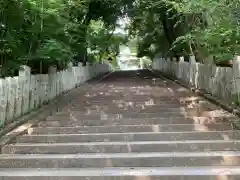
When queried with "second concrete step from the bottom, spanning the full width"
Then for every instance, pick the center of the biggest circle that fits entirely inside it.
(120, 160)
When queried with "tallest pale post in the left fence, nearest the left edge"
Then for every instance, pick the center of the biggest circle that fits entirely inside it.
(25, 75)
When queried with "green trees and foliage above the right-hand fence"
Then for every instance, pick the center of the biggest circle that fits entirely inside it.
(180, 27)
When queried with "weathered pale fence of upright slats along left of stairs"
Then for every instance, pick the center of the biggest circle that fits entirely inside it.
(19, 95)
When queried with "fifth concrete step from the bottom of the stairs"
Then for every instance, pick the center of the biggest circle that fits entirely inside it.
(129, 128)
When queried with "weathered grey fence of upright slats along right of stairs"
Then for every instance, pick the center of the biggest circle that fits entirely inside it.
(221, 82)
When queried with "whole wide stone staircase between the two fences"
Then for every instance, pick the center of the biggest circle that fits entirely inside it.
(130, 126)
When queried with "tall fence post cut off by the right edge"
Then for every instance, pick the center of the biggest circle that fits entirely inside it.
(236, 78)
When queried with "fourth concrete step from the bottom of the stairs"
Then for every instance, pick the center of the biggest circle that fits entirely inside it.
(143, 136)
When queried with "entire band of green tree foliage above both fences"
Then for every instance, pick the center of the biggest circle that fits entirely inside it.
(43, 33)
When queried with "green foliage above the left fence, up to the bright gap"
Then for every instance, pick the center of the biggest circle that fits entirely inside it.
(42, 33)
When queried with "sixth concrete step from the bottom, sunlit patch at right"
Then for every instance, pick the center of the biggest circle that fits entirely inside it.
(170, 120)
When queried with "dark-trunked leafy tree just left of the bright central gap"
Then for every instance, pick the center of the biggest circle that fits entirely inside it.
(107, 11)
